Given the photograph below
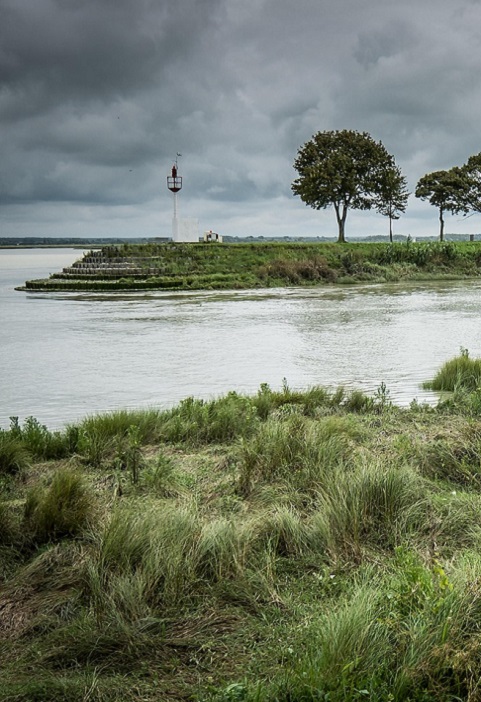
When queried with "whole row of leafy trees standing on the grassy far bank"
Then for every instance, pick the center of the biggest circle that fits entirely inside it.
(349, 170)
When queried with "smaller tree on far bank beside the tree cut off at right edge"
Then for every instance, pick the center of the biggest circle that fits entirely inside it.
(446, 190)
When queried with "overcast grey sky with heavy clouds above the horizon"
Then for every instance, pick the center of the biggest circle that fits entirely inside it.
(98, 96)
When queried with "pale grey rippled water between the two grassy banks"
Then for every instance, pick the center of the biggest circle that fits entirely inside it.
(65, 355)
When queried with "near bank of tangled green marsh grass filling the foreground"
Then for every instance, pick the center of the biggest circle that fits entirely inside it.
(286, 547)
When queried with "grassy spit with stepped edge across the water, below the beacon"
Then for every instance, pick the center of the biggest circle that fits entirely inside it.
(254, 265)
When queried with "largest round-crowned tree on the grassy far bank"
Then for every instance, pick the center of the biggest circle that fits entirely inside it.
(343, 169)
